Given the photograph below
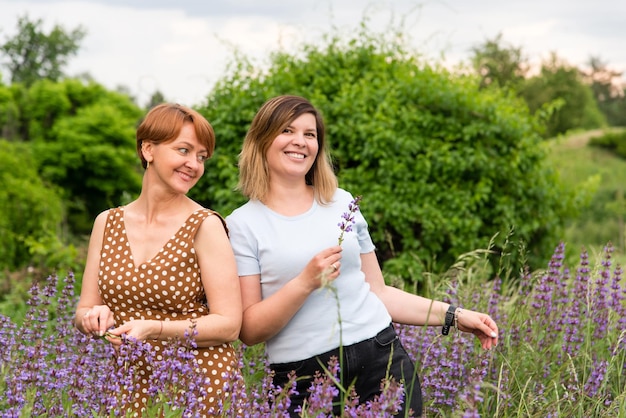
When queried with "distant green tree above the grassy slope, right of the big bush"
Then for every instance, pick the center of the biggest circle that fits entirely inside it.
(559, 81)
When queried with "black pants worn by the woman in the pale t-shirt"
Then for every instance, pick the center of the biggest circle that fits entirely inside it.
(366, 364)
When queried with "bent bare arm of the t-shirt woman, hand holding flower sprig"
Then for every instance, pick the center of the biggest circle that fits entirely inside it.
(262, 319)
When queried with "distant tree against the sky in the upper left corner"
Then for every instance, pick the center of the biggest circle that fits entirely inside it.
(32, 54)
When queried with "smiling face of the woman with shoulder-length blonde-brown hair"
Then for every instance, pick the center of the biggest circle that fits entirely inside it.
(293, 152)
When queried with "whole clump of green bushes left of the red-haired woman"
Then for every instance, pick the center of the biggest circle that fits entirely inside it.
(71, 155)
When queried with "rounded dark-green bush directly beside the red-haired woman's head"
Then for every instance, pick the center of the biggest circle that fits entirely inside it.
(97, 146)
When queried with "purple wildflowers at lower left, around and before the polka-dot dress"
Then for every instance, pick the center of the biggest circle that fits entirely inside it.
(51, 369)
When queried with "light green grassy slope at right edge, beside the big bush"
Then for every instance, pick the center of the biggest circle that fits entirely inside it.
(602, 174)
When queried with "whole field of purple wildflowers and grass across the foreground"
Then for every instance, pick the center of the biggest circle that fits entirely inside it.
(49, 368)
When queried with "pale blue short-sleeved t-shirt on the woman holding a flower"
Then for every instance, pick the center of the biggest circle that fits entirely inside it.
(279, 247)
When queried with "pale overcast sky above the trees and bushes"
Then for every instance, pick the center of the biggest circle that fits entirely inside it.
(182, 47)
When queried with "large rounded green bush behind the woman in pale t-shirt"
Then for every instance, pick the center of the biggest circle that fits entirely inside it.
(442, 166)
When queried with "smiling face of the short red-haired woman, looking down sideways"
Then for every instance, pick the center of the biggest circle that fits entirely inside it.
(179, 163)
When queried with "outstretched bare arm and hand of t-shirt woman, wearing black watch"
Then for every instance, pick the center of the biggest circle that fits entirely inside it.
(407, 308)
